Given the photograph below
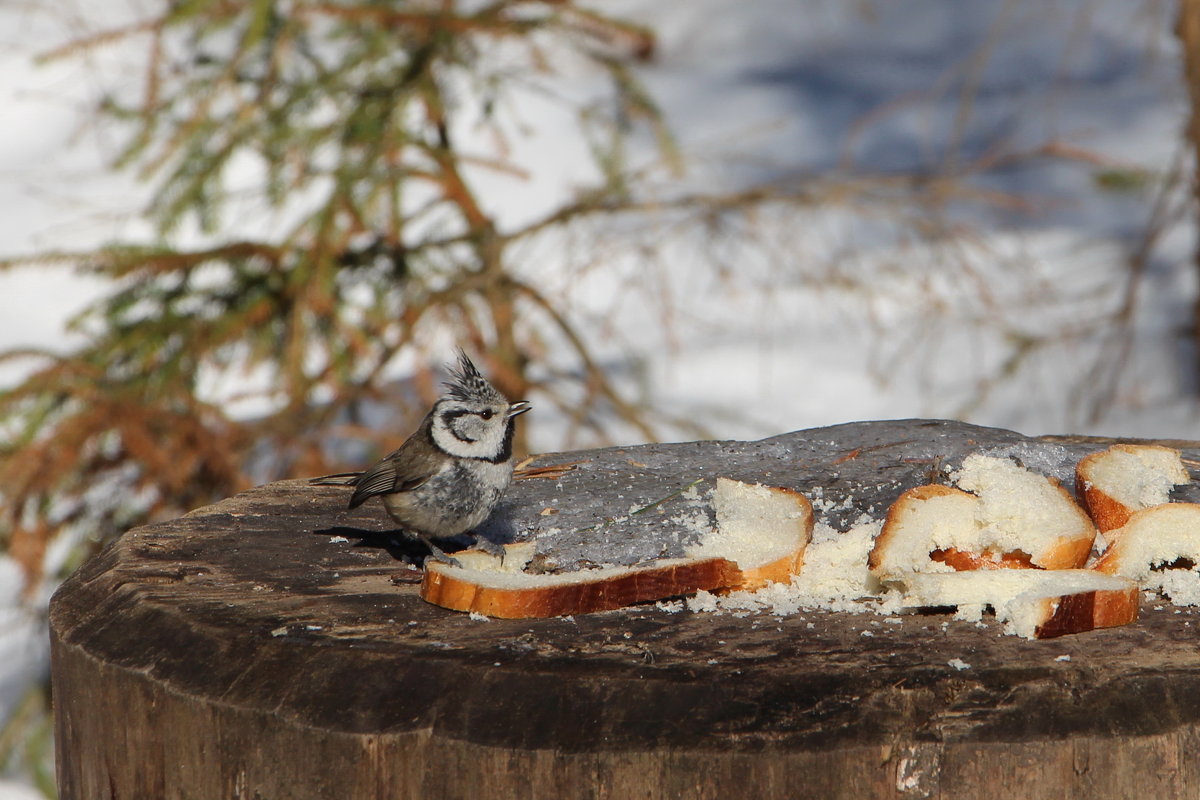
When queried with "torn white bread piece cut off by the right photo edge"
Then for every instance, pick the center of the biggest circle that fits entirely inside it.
(1160, 549)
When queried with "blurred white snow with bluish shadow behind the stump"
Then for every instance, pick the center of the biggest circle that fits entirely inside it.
(819, 315)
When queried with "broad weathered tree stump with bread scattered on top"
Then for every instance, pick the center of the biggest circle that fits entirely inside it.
(274, 647)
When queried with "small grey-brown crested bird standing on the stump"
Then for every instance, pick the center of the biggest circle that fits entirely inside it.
(451, 473)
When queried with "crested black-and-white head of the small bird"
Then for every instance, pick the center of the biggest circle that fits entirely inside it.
(472, 420)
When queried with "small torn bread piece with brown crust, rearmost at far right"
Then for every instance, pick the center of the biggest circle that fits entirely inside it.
(1114, 484)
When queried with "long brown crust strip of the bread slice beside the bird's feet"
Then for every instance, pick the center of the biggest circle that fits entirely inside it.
(560, 596)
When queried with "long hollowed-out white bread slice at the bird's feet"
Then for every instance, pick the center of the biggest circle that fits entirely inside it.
(760, 537)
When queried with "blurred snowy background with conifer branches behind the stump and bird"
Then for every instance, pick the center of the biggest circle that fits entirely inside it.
(239, 242)
